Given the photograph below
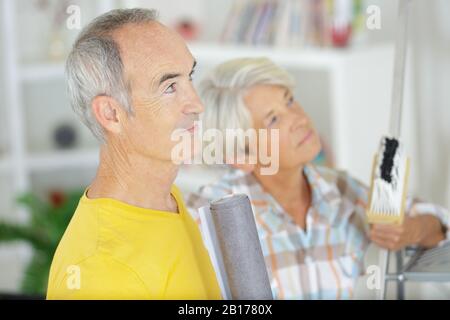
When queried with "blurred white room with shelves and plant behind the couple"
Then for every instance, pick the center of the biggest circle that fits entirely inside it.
(343, 71)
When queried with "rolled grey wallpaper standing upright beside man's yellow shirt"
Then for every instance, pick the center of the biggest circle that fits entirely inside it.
(241, 251)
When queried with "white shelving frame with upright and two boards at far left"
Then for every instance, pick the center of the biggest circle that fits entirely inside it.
(20, 162)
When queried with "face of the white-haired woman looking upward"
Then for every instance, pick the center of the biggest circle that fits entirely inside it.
(274, 107)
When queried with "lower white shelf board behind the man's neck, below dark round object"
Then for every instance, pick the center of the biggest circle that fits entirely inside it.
(62, 160)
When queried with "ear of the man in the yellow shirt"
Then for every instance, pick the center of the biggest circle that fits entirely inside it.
(108, 113)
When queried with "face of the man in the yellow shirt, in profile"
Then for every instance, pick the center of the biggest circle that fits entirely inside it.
(158, 67)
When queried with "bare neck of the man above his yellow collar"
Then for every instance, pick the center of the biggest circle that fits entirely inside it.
(135, 180)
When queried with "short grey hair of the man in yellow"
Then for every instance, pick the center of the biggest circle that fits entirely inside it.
(94, 66)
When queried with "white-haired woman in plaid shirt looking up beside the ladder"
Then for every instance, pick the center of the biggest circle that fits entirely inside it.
(310, 219)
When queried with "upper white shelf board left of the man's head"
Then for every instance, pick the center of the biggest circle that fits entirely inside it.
(42, 71)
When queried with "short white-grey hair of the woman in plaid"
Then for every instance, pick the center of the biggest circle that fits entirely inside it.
(224, 88)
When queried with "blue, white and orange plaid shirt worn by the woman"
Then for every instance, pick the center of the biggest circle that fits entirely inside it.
(324, 261)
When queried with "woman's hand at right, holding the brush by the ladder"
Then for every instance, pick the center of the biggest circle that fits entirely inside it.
(423, 230)
